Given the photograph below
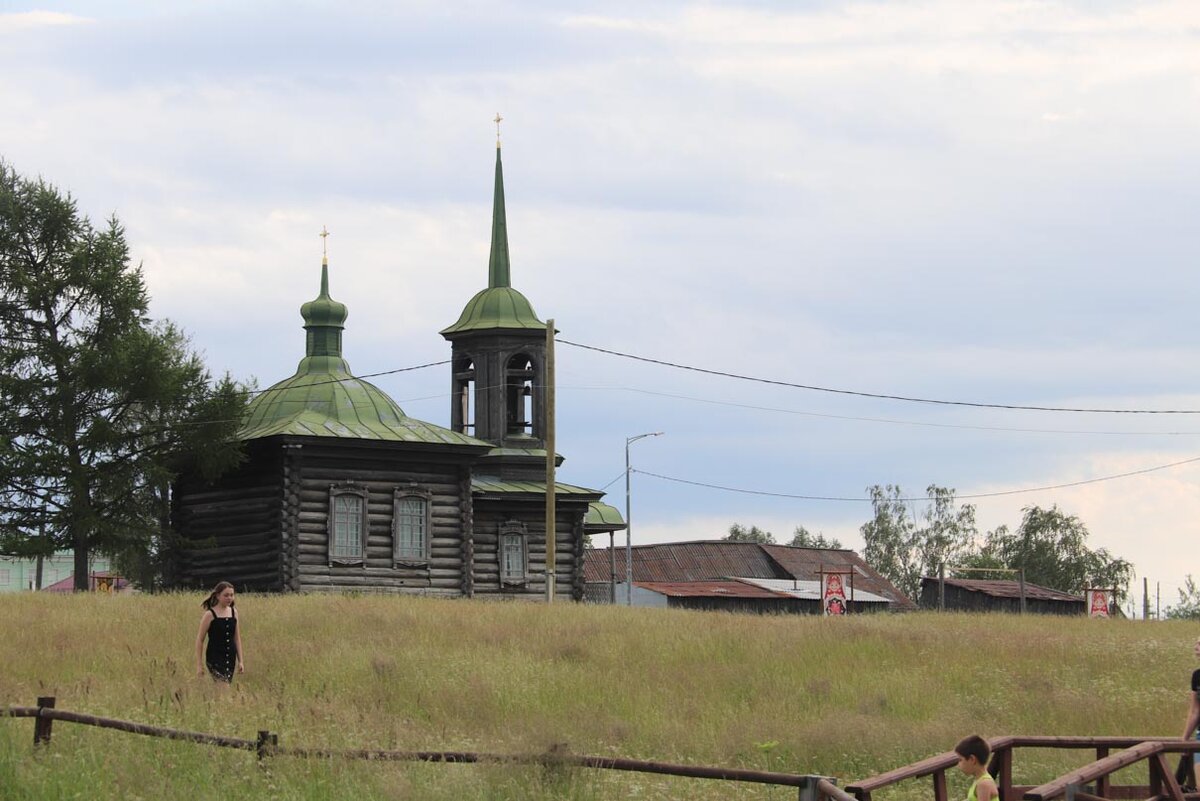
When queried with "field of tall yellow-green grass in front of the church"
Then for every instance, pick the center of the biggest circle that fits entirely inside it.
(845, 698)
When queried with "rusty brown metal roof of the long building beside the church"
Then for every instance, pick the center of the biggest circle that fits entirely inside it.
(721, 561)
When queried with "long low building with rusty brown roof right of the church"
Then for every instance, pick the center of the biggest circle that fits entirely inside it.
(735, 577)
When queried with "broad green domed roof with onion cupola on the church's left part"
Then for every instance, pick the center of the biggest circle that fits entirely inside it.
(325, 399)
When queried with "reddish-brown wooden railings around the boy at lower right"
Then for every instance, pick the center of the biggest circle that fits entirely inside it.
(1162, 784)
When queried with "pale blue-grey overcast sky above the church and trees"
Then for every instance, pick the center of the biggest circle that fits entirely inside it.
(952, 200)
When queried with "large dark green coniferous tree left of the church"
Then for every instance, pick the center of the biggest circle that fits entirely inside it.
(99, 407)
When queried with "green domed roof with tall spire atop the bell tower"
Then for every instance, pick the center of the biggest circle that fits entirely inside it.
(500, 306)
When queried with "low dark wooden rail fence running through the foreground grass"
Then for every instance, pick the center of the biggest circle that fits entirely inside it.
(811, 788)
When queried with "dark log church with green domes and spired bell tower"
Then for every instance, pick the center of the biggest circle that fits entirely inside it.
(343, 491)
